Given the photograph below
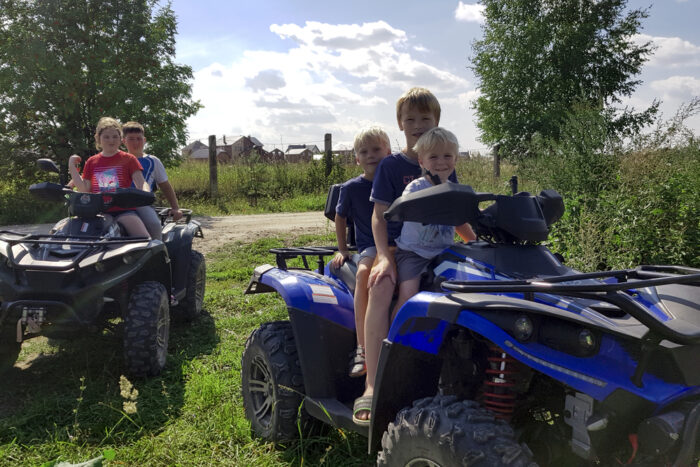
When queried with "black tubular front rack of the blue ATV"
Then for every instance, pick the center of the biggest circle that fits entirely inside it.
(616, 293)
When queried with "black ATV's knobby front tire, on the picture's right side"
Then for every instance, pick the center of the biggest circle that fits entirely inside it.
(147, 330)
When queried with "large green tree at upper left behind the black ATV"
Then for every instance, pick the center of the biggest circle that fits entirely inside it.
(66, 63)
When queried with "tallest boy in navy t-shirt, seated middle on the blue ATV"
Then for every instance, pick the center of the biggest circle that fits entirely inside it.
(417, 111)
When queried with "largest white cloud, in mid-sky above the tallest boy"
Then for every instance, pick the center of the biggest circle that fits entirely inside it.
(334, 79)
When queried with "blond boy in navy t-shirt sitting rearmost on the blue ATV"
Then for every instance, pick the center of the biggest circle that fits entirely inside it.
(371, 146)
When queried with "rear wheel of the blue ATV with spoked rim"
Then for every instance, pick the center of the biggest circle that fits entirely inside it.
(272, 383)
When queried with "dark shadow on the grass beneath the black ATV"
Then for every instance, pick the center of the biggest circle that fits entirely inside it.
(73, 393)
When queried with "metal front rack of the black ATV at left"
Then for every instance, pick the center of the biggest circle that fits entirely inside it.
(93, 244)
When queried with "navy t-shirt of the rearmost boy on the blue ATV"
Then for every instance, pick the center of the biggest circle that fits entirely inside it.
(353, 202)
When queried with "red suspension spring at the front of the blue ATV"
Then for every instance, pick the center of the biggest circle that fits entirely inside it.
(498, 391)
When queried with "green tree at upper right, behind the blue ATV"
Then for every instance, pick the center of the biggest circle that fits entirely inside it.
(540, 59)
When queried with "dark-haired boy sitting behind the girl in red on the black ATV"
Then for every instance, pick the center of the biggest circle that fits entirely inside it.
(154, 173)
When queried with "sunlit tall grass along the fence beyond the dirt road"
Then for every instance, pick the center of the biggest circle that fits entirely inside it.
(252, 187)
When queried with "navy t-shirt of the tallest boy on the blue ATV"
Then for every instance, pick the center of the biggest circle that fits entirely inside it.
(393, 174)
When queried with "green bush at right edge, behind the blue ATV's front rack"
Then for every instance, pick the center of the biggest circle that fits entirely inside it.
(624, 206)
